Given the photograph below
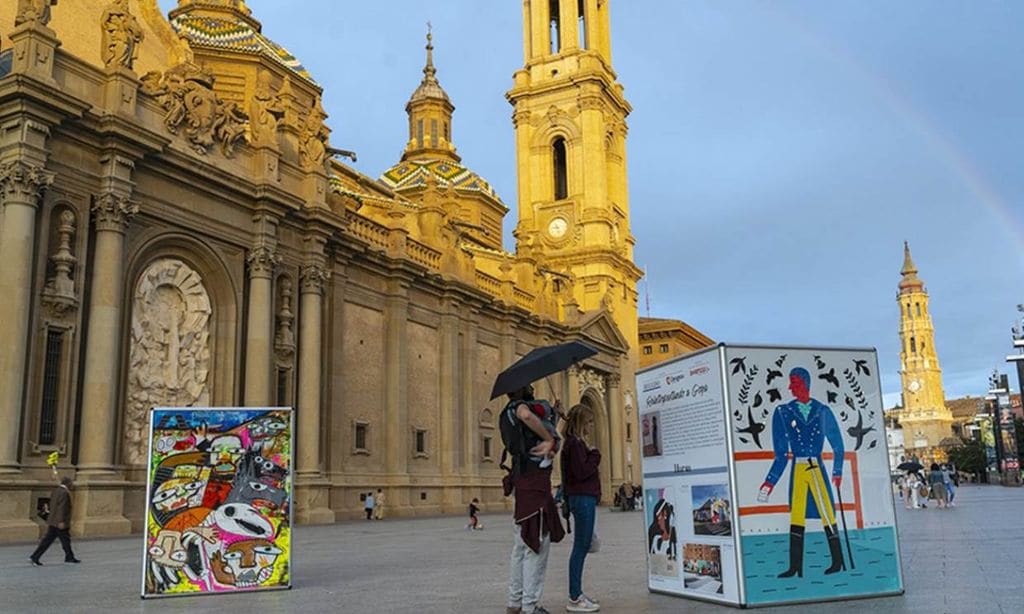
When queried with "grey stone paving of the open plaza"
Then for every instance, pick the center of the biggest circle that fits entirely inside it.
(966, 559)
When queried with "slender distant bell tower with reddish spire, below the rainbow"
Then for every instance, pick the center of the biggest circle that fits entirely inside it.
(925, 418)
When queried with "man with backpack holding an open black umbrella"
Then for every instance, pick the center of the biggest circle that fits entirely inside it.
(530, 440)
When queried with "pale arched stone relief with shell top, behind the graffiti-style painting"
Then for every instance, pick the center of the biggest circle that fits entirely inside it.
(169, 356)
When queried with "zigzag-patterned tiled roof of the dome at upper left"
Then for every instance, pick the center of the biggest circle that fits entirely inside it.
(235, 36)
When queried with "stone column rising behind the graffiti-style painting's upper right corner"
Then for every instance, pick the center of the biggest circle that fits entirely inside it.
(260, 333)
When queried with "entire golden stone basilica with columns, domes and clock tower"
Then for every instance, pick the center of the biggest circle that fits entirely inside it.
(177, 231)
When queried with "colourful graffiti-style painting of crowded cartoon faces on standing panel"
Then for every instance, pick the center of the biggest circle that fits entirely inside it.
(219, 501)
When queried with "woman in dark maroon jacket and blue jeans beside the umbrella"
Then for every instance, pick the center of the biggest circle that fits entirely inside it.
(583, 490)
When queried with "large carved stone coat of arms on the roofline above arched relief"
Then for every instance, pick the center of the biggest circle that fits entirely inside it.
(186, 93)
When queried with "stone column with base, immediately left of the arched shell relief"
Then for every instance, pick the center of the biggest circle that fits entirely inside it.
(100, 500)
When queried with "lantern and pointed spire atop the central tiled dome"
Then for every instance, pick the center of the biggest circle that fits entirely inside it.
(431, 115)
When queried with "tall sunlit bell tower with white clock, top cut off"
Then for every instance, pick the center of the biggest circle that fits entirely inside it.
(571, 152)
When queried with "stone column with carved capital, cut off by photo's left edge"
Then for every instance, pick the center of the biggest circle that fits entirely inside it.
(22, 187)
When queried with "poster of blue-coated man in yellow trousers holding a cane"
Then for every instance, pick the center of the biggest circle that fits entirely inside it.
(812, 475)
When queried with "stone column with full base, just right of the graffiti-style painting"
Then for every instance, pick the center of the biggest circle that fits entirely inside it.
(313, 505)
